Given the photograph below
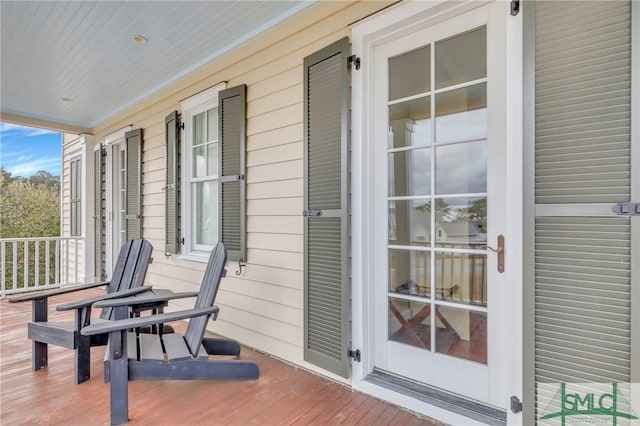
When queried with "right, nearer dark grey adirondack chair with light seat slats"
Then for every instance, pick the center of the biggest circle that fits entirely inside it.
(184, 357)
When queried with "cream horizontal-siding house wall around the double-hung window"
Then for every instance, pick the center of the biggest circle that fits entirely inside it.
(263, 307)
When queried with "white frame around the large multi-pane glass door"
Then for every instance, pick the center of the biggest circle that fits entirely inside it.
(397, 21)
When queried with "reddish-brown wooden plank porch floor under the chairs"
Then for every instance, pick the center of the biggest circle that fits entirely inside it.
(283, 395)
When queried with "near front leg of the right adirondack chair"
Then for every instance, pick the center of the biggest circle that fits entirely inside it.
(119, 377)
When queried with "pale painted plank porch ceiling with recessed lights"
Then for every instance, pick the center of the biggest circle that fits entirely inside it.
(83, 50)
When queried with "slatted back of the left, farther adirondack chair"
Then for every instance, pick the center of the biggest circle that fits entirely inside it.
(130, 270)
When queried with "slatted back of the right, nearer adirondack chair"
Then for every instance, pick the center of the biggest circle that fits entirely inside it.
(206, 296)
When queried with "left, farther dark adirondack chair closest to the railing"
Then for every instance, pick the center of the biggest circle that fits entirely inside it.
(128, 276)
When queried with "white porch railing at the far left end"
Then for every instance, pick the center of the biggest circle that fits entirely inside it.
(29, 264)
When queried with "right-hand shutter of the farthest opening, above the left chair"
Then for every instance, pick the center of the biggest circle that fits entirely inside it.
(133, 184)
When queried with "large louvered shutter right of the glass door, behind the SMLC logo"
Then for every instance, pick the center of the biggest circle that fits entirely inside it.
(585, 281)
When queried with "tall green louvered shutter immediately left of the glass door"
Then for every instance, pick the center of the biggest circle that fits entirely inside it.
(326, 204)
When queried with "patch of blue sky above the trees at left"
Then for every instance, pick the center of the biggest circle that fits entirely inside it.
(25, 150)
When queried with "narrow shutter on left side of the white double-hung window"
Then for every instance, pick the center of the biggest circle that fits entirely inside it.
(172, 143)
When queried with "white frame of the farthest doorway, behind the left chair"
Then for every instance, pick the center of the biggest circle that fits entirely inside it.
(111, 142)
